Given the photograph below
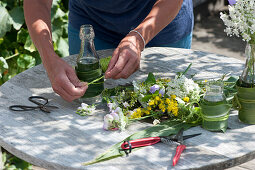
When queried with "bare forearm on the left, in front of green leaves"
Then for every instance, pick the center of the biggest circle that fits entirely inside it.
(38, 20)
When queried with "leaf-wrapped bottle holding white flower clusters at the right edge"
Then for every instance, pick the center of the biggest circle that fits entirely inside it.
(241, 22)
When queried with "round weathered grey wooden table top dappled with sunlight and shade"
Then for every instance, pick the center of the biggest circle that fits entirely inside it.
(64, 140)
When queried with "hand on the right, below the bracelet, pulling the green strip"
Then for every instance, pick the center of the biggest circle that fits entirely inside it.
(126, 57)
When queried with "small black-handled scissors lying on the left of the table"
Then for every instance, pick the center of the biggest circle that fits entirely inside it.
(40, 101)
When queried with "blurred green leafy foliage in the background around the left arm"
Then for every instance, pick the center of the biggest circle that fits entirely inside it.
(17, 51)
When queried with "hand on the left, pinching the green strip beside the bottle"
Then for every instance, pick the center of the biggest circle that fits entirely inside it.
(64, 80)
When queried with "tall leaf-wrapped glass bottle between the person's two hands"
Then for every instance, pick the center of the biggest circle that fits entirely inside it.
(88, 68)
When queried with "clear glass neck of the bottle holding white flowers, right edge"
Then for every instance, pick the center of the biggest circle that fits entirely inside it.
(247, 77)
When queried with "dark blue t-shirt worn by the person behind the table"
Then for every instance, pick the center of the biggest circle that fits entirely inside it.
(113, 19)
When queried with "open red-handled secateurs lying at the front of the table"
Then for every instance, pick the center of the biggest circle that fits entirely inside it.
(173, 139)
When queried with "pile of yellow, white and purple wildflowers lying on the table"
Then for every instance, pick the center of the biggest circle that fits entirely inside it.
(155, 98)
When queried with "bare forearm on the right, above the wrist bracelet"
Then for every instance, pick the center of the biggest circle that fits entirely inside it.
(162, 13)
